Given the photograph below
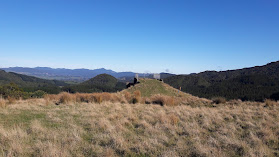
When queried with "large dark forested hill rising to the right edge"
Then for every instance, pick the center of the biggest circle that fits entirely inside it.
(255, 83)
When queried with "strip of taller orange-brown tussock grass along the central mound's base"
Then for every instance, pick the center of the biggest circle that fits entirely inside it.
(123, 97)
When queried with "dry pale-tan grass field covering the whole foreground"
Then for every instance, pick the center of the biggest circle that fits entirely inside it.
(31, 128)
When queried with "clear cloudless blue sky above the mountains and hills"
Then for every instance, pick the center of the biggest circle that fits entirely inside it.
(178, 36)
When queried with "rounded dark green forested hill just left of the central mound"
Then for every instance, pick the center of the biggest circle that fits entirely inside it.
(100, 83)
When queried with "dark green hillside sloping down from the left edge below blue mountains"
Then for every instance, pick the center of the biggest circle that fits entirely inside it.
(29, 83)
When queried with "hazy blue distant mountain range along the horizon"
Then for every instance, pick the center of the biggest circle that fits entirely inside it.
(77, 75)
